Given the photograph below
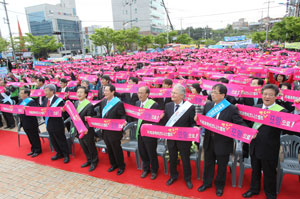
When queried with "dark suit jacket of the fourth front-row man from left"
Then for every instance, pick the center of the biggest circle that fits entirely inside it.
(116, 112)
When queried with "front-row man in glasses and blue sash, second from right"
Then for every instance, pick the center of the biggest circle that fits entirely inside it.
(218, 147)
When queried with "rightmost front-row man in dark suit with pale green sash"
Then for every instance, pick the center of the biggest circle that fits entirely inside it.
(264, 148)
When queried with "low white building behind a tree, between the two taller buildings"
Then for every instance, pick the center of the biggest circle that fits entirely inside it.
(88, 44)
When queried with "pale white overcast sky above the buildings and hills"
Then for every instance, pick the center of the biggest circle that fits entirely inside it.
(196, 13)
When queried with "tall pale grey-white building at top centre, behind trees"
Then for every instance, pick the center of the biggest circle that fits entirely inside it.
(148, 15)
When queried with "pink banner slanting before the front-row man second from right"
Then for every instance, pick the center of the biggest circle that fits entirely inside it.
(227, 129)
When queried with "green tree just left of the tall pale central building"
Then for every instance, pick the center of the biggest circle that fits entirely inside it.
(103, 37)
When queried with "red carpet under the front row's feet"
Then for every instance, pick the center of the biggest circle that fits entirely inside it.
(9, 147)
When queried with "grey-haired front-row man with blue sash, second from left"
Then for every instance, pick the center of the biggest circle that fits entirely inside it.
(55, 125)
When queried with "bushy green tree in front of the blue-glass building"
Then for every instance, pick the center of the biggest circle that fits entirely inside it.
(41, 46)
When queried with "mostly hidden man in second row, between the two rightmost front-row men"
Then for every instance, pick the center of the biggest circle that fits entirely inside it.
(256, 82)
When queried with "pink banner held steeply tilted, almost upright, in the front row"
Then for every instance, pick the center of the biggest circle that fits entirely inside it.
(82, 130)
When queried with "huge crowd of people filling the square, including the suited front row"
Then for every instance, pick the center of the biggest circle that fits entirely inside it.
(182, 71)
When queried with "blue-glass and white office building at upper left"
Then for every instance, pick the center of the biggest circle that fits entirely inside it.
(60, 20)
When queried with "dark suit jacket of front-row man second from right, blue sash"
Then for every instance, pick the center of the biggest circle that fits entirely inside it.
(222, 145)
